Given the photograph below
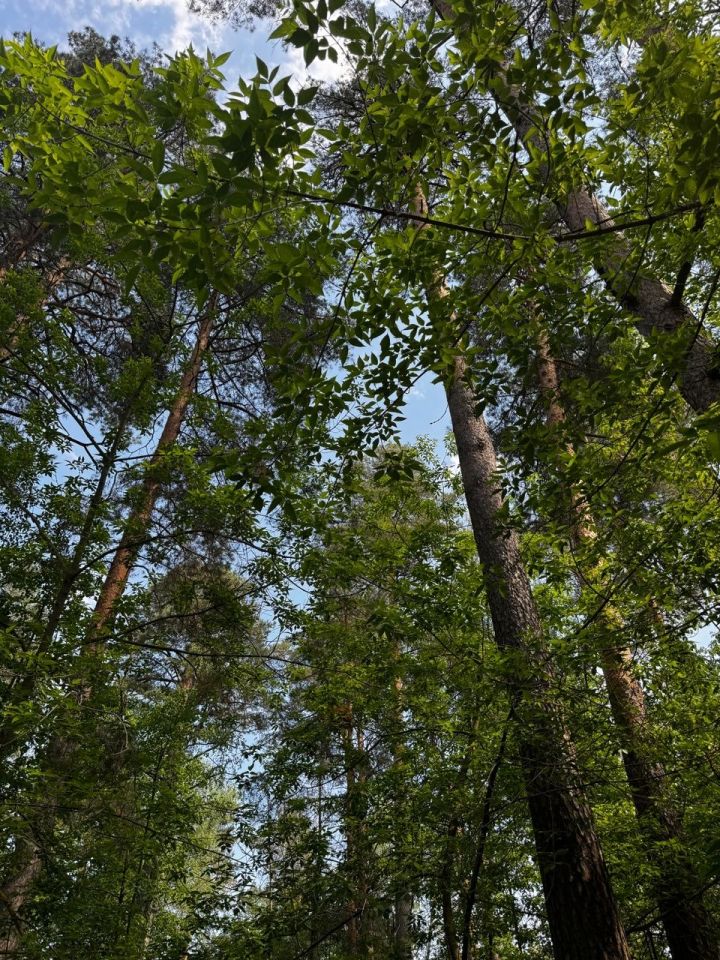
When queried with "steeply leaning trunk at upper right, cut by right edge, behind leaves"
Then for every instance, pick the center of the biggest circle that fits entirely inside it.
(650, 300)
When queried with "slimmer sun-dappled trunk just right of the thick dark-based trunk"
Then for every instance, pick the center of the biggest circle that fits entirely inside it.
(689, 929)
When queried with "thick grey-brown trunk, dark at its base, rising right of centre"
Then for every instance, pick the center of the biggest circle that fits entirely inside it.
(583, 916)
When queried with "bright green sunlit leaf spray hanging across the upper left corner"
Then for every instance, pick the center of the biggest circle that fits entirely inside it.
(189, 199)
